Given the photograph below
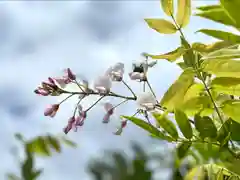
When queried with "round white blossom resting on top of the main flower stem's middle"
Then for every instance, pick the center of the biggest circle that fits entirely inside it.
(103, 84)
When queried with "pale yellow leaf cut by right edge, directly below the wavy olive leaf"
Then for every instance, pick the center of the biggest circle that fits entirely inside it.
(223, 54)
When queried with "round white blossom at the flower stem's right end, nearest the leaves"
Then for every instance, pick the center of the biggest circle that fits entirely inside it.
(146, 101)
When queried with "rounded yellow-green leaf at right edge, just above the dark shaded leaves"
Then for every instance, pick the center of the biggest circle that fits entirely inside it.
(231, 109)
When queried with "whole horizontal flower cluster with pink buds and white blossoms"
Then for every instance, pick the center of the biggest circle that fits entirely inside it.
(101, 87)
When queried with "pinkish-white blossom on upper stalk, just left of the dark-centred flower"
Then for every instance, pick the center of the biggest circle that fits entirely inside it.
(116, 72)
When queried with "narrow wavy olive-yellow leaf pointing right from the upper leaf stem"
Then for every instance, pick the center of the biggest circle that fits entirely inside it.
(203, 48)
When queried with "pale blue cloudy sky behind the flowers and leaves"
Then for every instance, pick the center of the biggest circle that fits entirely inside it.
(40, 39)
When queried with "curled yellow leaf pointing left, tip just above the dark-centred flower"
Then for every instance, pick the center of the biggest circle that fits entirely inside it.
(170, 56)
